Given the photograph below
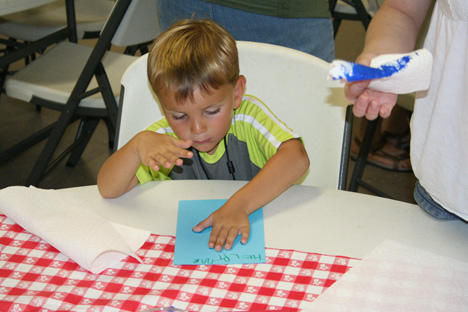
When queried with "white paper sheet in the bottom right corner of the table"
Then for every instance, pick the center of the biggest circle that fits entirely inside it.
(395, 277)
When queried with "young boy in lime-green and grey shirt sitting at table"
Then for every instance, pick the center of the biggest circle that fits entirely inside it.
(210, 131)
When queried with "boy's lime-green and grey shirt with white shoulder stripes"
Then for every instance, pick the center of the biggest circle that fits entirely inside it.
(253, 138)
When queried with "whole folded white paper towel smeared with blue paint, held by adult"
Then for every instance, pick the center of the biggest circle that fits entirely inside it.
(395, 73)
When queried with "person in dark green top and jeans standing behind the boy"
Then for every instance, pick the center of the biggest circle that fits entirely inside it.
(303, 25)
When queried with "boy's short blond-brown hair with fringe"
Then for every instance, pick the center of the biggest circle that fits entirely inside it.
(193, 54)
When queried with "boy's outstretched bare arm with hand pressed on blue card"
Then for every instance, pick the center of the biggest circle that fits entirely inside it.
(280, 172)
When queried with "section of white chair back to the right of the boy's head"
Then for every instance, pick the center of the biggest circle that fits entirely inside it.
(294, 86)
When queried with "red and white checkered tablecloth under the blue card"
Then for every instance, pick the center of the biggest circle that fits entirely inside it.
(34, 276)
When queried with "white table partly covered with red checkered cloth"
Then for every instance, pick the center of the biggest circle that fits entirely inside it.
(313, 236)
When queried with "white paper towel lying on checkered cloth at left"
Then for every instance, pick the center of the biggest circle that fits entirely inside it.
(68, 224)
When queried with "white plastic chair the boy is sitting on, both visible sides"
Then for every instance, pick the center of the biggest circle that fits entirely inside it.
(292, 83)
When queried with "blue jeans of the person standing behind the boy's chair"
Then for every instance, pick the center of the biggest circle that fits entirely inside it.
(310, 35)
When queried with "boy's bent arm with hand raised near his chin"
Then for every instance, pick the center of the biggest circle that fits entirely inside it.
(117, 175)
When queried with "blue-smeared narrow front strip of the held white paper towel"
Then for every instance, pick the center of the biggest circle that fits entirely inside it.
(357, 72)
